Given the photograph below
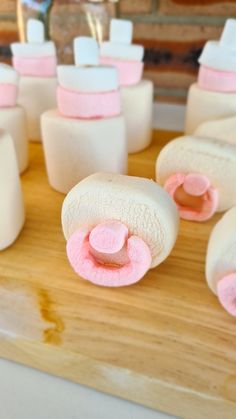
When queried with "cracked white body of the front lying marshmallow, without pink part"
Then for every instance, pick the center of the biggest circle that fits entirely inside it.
(150, 214)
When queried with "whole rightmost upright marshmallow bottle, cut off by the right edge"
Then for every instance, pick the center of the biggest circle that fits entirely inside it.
(213, 98)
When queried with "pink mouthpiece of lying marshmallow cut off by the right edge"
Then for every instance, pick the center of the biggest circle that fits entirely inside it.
(226, 291)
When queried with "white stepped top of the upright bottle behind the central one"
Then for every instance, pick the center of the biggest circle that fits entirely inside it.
(120, 44)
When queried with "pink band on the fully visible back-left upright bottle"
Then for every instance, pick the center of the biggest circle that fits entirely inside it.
(35, 67)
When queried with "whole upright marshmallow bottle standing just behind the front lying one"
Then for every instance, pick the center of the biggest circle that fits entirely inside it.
(87, 132)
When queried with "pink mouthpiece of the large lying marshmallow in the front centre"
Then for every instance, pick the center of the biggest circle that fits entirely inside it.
(106, 256)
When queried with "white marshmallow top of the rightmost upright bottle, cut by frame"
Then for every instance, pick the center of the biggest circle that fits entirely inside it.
(221, 55)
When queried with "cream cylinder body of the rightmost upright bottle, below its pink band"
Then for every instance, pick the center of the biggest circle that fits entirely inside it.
(203, 105)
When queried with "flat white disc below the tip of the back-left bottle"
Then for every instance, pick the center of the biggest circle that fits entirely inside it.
(27, 50)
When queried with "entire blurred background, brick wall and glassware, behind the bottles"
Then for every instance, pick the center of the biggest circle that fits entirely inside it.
(172, 31)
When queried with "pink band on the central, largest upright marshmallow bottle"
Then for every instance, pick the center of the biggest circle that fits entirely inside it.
(88, 105)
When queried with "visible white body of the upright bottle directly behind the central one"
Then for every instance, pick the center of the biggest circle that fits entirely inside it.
(137, 109)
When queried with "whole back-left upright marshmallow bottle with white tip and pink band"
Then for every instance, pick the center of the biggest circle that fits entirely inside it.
(35, 61)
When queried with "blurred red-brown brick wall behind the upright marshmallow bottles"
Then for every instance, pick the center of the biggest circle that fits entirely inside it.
(172, 31)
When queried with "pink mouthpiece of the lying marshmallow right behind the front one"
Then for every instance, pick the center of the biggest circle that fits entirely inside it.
(192, 186)
